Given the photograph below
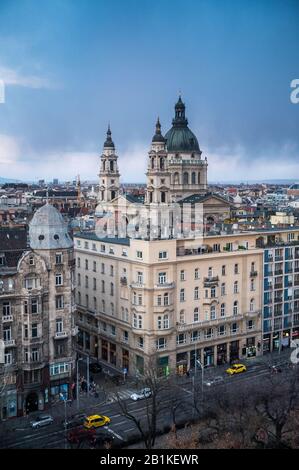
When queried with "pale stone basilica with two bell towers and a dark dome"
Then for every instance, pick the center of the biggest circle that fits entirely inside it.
(176, 174)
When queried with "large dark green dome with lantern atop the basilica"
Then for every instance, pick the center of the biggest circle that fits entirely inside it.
(180, 138)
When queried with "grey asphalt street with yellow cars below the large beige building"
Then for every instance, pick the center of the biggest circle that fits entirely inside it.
(21, 435)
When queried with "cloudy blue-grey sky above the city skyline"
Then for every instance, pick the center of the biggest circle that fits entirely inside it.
(72, 66)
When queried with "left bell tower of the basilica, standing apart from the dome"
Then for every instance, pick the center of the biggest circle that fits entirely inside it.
(109, 174)
